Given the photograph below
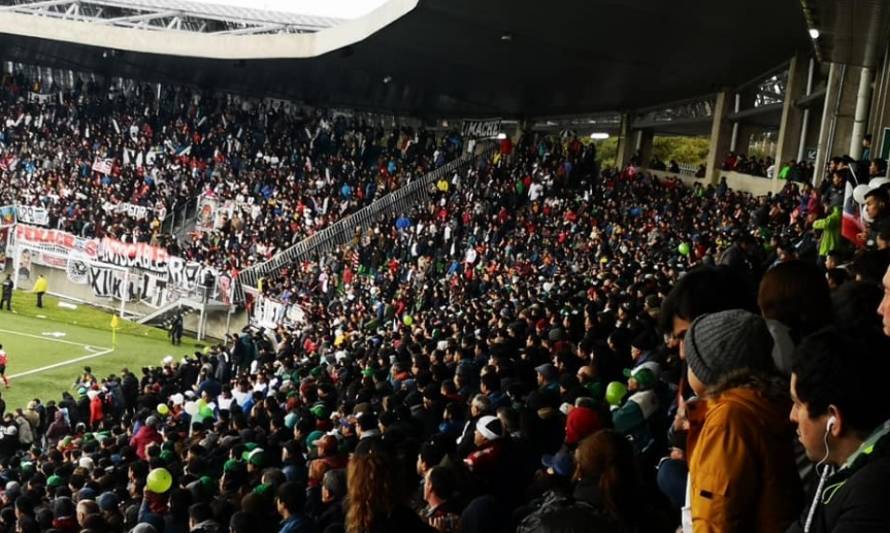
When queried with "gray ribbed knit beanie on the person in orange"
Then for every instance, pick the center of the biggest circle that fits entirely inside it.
(718, 343)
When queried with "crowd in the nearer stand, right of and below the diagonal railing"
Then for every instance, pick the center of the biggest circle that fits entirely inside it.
(541, 347)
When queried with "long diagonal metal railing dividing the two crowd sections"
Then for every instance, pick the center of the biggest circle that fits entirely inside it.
(344, 230)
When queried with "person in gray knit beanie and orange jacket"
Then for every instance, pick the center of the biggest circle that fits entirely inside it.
(742, 474)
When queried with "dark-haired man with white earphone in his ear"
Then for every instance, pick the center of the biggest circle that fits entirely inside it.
(842, 412)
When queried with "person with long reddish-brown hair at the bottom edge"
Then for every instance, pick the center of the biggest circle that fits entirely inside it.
(376, 493)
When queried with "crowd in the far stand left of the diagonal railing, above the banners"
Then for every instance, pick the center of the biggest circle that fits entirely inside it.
(94, 153)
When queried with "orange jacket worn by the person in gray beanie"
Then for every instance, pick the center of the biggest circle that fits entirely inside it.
(741, 462)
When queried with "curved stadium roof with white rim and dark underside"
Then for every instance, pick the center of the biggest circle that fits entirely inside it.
(436, 58)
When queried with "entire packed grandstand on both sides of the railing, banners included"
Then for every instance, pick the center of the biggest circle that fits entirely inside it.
(529, 342)
